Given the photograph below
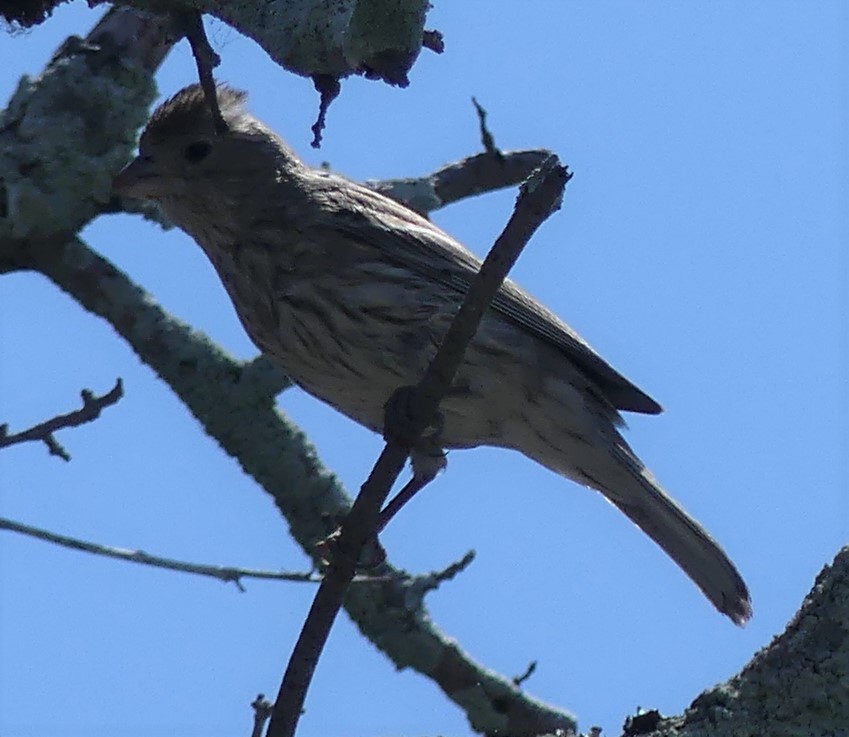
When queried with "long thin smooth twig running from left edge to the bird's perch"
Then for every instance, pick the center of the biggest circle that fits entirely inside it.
(223, 573)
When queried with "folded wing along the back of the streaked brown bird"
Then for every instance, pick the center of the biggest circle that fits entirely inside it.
(405, 238)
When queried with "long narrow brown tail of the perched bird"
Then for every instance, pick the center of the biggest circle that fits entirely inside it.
(633, 490)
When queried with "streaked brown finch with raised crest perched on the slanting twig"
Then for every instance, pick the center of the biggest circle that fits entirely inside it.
(351, 293)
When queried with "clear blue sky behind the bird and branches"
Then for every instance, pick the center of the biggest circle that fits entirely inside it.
(700, 249)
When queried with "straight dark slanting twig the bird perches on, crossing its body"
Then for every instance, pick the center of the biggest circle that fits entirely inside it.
(538, 198)
